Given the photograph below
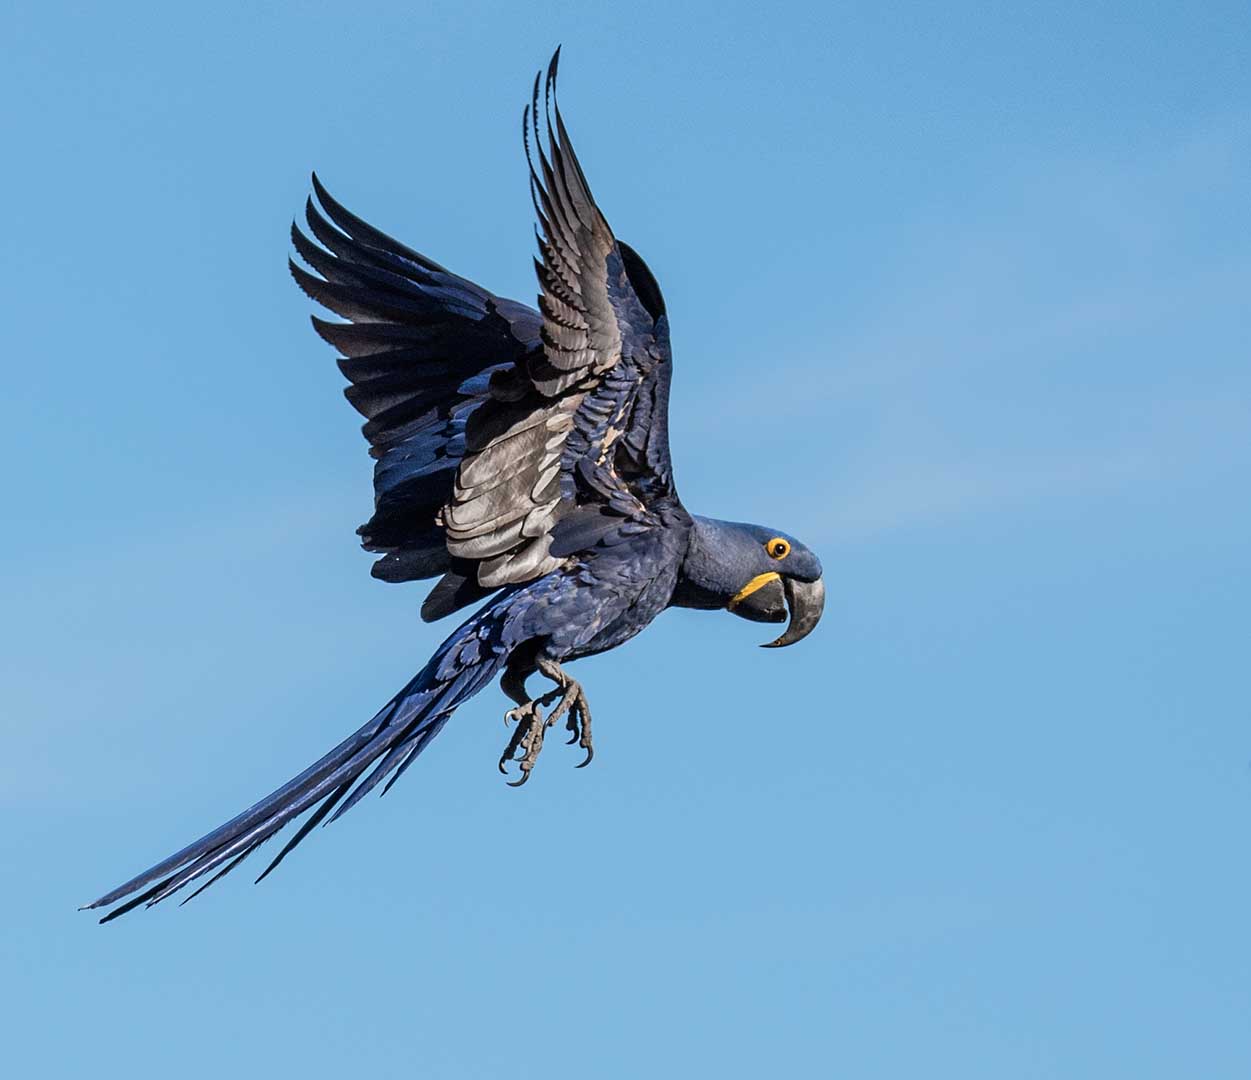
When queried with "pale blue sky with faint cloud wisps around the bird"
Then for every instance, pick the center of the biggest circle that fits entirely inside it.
(960, 296)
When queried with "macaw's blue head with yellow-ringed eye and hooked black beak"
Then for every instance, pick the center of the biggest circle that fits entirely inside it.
(755, 573)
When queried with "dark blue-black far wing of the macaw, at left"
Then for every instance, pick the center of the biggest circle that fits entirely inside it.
(420, 351)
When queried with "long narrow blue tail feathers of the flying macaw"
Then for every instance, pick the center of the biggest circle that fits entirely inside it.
(386, 746)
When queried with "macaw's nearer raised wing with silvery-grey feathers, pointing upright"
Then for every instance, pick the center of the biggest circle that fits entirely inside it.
(585, 445)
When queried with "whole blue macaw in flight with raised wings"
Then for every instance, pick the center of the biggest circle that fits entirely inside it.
(521, 456)
